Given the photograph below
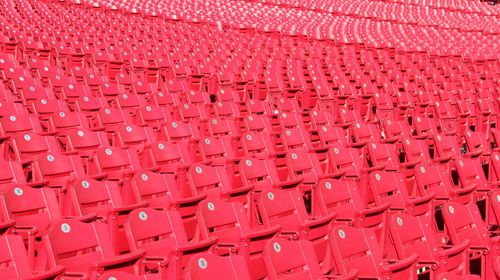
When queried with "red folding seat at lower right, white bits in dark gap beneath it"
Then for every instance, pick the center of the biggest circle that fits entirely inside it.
(413, 235)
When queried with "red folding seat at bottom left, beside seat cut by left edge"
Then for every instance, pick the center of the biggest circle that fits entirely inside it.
(90, 252)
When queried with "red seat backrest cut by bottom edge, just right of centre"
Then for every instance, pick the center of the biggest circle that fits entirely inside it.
(291, 259)
